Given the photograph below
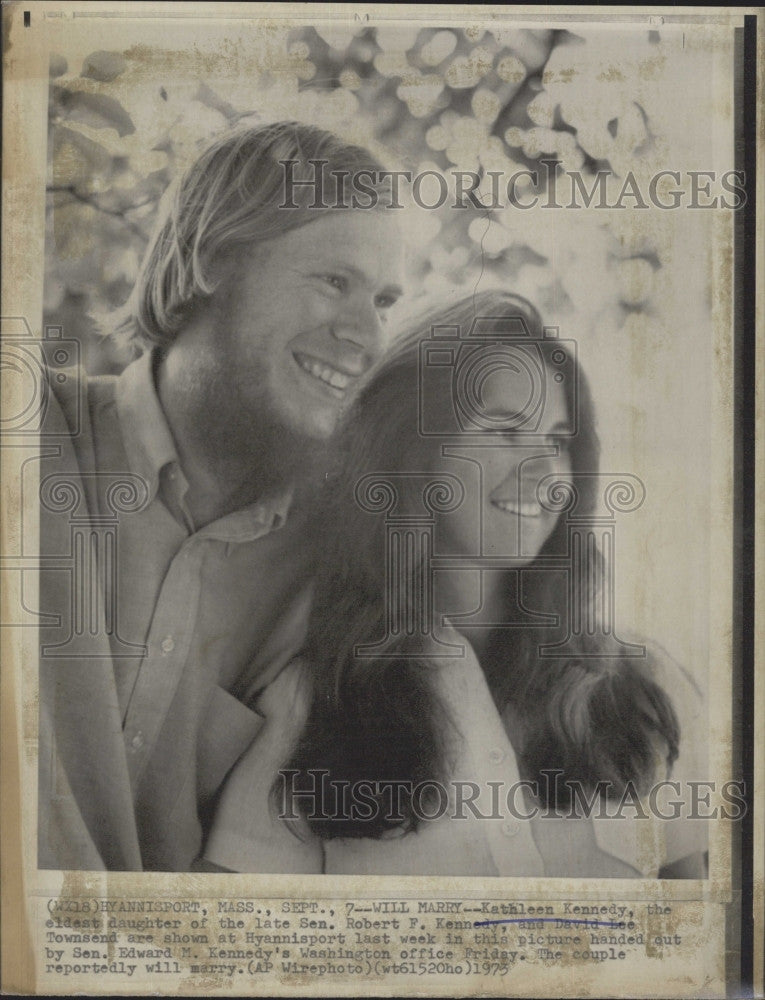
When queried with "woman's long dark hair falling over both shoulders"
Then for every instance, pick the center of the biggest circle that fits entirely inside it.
(593, 718)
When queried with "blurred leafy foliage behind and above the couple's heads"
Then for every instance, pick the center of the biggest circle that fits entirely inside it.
(123, 124)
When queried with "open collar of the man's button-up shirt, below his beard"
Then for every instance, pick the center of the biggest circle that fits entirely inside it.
(150, 449)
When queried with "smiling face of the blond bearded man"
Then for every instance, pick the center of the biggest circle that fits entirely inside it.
(300, 318)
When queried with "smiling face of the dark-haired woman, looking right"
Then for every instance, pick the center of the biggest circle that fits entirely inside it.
(501, 515)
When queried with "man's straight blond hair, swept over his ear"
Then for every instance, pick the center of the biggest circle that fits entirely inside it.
(232, 196)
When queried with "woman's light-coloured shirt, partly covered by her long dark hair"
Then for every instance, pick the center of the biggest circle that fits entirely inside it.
(248, 835)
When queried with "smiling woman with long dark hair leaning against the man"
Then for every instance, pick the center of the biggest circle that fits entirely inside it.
(452, 642)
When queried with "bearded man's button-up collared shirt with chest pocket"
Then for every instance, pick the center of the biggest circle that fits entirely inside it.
(195, 617)
